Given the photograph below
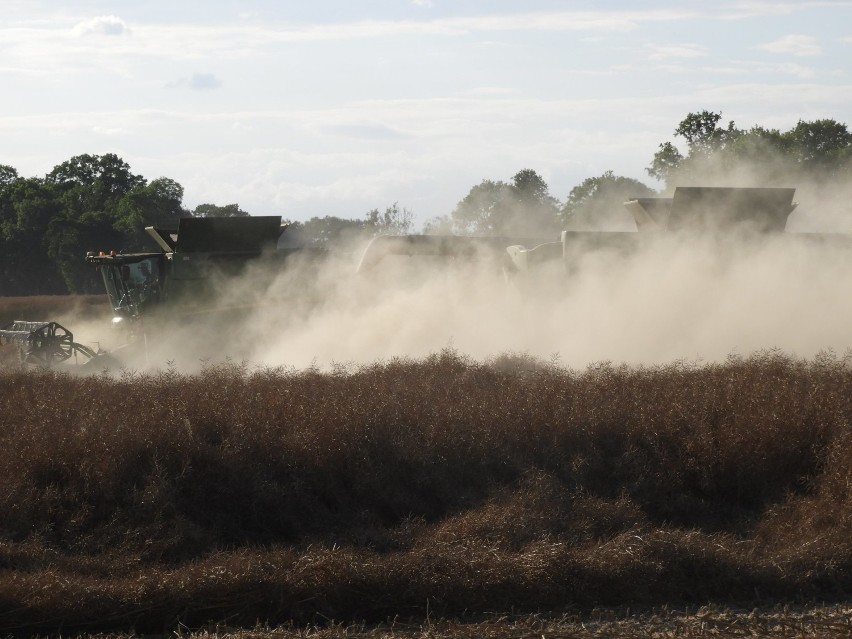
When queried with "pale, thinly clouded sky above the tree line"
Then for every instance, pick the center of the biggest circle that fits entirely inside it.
(334, 107)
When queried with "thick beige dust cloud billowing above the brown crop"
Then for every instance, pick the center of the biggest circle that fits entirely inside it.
(676, 298)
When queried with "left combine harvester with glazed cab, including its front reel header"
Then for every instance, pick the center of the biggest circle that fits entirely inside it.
(180, 283)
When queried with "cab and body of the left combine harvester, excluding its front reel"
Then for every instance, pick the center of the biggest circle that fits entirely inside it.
(209, 273)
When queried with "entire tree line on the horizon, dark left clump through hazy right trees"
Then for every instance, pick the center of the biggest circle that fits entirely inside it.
(47, 224)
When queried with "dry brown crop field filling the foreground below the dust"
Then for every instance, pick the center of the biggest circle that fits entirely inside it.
(437, 497)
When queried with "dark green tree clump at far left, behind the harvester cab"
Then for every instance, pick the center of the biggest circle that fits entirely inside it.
(89, 202)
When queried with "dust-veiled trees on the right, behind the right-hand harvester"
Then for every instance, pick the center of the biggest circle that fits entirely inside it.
(818, 152)
